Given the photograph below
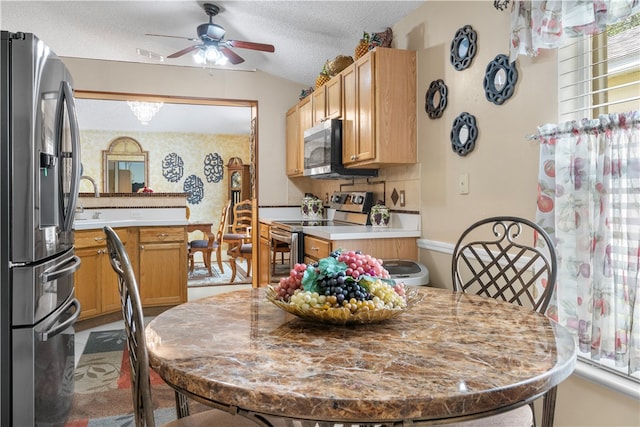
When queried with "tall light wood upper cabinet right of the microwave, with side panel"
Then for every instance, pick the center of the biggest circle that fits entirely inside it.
(379, 109)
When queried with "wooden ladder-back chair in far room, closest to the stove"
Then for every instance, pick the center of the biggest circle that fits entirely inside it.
(239, 241)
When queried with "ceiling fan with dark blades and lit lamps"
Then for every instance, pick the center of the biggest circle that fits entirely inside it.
(211, 38)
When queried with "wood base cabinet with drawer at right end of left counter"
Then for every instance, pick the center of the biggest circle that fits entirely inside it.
(163, 265)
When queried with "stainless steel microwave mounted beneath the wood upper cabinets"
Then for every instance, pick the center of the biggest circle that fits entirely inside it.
(323, 153)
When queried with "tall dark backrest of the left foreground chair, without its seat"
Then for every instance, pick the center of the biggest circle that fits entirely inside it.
(134, 327)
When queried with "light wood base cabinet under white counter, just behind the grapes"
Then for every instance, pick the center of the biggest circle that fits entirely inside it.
(316, 248)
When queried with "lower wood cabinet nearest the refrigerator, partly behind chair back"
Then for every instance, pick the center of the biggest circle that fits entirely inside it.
(95, 281)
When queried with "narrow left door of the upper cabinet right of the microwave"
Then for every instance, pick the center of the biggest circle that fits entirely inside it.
(349, 115)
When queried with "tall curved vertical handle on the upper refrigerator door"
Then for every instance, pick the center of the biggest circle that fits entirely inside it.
(67, 98)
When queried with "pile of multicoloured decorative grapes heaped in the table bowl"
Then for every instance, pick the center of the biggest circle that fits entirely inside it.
(344, 280)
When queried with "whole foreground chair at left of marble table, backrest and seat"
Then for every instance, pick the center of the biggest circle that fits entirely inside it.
(139, 358)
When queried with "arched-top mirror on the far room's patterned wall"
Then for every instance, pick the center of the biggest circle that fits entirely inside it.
(125, 166)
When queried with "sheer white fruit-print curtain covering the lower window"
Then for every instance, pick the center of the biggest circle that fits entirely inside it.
(589, 202)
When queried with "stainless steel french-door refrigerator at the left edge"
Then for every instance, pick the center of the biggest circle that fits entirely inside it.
(39, 176)
